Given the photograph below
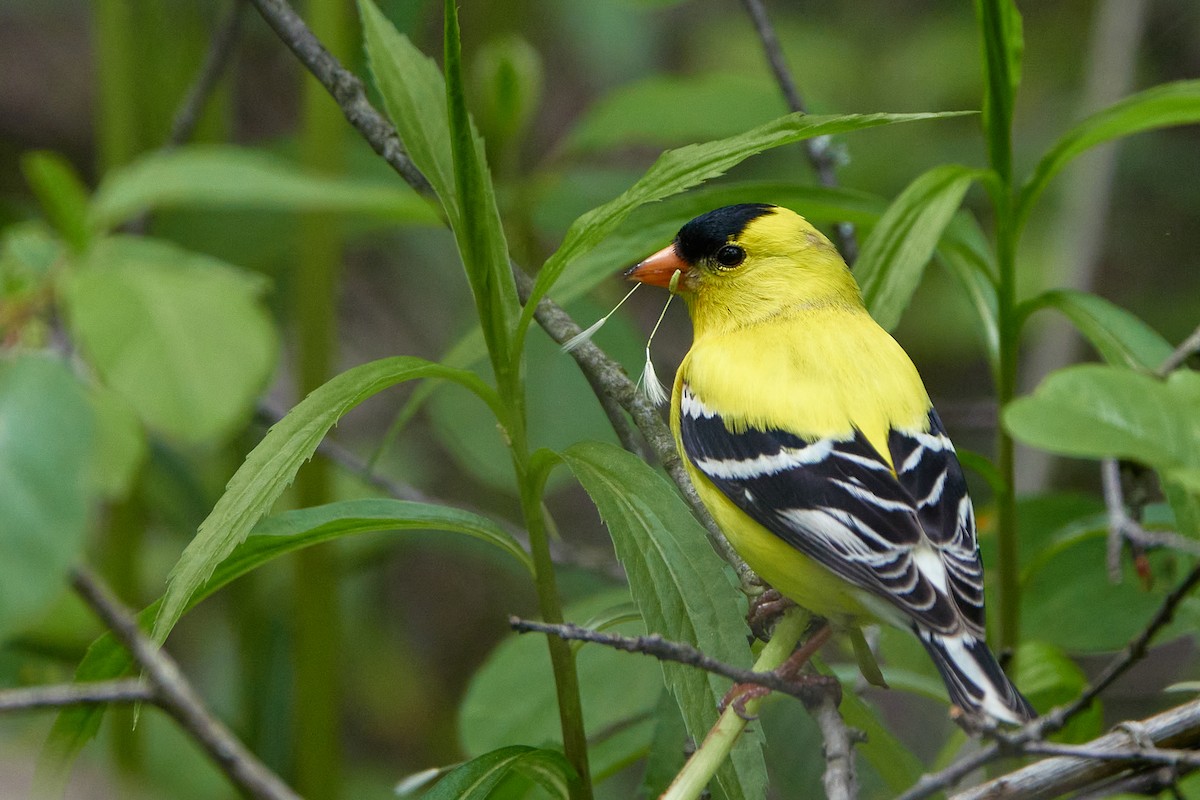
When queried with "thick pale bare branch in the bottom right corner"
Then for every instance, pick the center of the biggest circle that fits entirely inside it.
(1169, 733)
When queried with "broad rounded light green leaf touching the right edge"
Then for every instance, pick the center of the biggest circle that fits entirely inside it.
(1097, 412)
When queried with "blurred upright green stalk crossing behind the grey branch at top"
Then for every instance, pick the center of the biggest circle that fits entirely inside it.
(317, 574)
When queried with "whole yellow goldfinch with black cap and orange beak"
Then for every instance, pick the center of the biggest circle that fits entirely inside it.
(811, 438)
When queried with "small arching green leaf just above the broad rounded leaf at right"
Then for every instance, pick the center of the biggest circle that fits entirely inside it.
(1120, 338)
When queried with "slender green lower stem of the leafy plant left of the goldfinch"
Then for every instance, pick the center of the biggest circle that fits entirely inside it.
(532, 480)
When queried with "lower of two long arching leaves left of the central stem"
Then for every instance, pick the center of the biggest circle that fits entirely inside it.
(273, 538)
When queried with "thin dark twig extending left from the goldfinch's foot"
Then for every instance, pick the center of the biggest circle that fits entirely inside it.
(667, 651)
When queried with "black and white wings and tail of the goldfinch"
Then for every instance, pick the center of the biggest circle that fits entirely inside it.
(904, 534)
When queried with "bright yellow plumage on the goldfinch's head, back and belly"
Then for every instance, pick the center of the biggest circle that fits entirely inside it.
(784, 342)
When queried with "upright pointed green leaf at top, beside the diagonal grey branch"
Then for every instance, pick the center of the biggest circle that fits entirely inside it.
(415, 97)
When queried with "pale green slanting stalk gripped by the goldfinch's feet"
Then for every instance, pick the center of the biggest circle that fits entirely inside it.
(697, 774)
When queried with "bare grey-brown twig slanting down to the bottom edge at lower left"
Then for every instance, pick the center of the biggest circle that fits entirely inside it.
(177, 697)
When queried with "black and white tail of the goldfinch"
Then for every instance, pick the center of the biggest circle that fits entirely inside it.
(974, 678)
